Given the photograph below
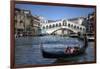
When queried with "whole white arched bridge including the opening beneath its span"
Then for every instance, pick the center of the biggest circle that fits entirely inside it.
(62, 27)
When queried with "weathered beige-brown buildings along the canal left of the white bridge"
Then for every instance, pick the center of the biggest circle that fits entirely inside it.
(25, 23)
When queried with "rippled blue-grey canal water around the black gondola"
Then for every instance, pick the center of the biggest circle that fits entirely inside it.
(28, 49)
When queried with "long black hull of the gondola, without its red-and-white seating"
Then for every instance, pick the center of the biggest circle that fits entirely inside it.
(81, 51)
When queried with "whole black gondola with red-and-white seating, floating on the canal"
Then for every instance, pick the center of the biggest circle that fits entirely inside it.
(63, 54)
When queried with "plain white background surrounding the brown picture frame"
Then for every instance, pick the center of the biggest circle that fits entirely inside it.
(5, 34)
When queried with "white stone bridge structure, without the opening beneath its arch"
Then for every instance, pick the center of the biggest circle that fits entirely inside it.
(60, 25)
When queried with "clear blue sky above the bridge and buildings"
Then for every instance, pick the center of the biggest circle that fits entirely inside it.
(55, 12)
